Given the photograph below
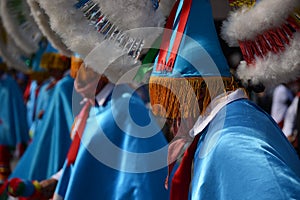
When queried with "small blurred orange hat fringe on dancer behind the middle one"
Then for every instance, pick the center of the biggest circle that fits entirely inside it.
(55, 61)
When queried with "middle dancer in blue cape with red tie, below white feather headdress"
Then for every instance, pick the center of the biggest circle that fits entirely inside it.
(120, 153)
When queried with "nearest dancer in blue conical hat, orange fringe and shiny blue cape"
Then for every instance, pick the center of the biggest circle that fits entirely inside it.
(237, 150)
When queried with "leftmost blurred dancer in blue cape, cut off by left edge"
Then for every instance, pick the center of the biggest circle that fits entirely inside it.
(13, 122)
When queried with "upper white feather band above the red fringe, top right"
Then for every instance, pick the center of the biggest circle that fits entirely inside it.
(246, 24)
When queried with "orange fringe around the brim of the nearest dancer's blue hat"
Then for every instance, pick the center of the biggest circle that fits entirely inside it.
(186, 97)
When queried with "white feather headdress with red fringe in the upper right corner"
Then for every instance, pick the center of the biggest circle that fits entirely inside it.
(268, 33)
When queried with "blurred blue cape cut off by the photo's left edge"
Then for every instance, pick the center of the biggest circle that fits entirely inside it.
(13, 119)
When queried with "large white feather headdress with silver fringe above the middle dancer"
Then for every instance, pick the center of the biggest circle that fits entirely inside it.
(86, 25)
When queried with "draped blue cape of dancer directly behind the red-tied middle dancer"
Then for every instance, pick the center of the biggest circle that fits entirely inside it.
(47, 152)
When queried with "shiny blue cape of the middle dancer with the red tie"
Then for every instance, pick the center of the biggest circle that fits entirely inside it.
(119, 177)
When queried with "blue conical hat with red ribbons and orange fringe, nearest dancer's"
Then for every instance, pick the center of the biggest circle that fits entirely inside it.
(183, 83)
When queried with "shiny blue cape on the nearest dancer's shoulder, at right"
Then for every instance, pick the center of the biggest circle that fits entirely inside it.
(246, 157)
